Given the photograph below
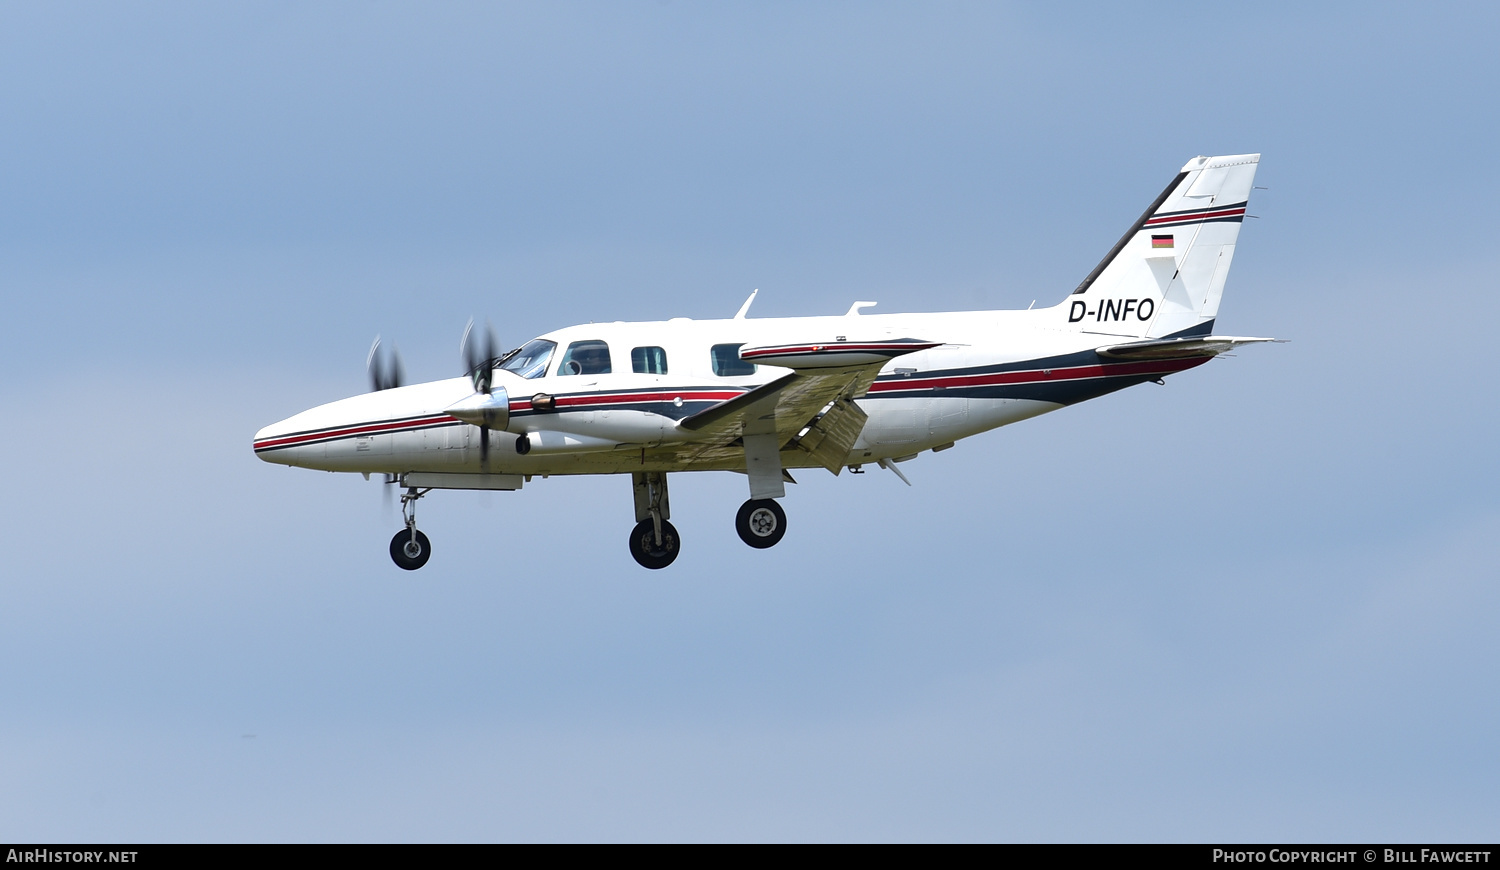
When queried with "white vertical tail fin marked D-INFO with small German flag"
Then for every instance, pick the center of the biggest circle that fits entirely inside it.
(1166, 275)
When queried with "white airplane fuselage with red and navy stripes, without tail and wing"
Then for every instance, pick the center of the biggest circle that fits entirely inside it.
(992, 368)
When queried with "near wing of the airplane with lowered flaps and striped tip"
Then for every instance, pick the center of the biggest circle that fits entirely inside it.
(812, 409)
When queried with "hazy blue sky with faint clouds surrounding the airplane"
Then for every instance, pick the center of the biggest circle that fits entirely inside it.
(1256, 604)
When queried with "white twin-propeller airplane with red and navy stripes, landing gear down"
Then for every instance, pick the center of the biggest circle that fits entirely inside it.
(767, 397)
